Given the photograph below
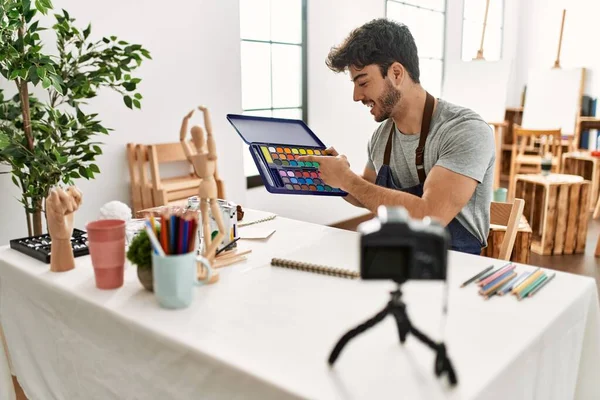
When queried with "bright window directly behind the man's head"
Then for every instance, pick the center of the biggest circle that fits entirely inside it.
(426, 20)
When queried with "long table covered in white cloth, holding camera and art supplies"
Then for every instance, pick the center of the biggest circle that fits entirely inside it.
(265, 332)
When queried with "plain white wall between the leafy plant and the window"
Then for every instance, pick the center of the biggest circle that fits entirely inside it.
(196, 59)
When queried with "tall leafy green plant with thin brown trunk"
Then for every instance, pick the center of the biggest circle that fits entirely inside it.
(48, 138)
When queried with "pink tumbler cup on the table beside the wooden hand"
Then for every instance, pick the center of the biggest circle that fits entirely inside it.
(106, 240)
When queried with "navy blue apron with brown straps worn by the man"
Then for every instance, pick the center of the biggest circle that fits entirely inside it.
(462, 239)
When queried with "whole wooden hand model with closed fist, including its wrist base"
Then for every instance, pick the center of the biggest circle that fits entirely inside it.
(60, 206)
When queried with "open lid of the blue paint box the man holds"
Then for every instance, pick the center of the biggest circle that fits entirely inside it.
(287, 132)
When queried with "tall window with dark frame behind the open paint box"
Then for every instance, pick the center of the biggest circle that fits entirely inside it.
(273, 53)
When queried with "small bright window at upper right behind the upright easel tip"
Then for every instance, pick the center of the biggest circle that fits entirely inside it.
(473, 17)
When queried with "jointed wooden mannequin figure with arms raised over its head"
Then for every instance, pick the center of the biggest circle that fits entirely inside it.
(204, 161)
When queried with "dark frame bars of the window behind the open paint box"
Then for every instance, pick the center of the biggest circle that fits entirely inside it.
(255, 180)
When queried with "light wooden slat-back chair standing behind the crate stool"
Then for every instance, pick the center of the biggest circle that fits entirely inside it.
(529, 147)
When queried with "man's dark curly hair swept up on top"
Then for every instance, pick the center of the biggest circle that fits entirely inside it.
(380, 42)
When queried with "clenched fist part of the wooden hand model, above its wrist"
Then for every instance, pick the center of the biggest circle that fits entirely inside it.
(60, 206)
